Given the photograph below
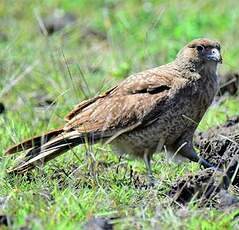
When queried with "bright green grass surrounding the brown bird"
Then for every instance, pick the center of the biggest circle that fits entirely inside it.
(72, 65)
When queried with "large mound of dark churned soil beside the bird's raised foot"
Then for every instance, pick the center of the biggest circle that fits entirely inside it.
(209, 187)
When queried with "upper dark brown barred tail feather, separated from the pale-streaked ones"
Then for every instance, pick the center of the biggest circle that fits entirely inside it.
(34, 142)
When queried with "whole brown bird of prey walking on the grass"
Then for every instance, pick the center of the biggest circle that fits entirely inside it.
(154, 109)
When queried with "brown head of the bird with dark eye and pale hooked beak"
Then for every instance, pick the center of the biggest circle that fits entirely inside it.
(201, 53)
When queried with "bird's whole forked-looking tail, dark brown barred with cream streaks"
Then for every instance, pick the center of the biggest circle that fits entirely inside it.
(39, 154)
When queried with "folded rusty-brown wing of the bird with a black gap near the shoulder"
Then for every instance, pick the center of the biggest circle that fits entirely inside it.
(125, 106)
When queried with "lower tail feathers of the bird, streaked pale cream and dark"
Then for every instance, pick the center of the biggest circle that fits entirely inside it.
(39, 155)
